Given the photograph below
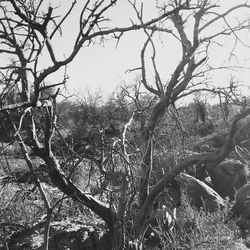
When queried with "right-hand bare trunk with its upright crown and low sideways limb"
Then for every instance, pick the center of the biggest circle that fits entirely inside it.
(193, 64)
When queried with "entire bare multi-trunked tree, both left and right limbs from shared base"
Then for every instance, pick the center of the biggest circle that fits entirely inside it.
(27, 35)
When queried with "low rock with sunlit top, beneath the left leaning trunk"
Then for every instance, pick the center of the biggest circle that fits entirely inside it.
(65, 234)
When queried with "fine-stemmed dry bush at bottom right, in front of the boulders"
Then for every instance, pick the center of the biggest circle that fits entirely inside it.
(195, 229)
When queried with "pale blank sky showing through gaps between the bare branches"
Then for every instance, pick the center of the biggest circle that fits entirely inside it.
(103, 68)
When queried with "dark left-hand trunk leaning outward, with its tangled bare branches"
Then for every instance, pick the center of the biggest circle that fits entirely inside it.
(27, 33)
